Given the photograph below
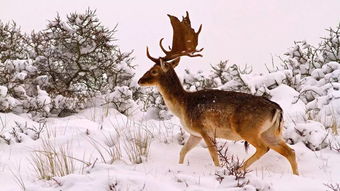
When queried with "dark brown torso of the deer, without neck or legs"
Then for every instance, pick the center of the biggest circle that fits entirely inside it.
(227, 109)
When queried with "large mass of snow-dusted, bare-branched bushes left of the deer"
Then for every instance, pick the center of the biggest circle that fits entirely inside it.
(61, 67)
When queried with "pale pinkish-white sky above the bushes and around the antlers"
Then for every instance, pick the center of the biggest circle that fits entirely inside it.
(241, 31)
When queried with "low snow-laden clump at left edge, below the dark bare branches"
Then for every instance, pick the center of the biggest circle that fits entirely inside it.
(19, 87)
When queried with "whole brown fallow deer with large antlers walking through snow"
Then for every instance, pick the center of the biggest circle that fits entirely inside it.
(211, 114)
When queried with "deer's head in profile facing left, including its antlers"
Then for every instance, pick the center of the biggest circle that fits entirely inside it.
(184, 43)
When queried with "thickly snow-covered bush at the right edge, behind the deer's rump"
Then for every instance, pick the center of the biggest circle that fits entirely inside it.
(316, 76)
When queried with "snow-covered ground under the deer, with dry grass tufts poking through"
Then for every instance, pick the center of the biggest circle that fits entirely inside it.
(160, 170)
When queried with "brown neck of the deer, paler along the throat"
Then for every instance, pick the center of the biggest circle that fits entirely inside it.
(173, 93)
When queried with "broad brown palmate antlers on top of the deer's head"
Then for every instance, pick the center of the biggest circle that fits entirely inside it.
(184, 41)
